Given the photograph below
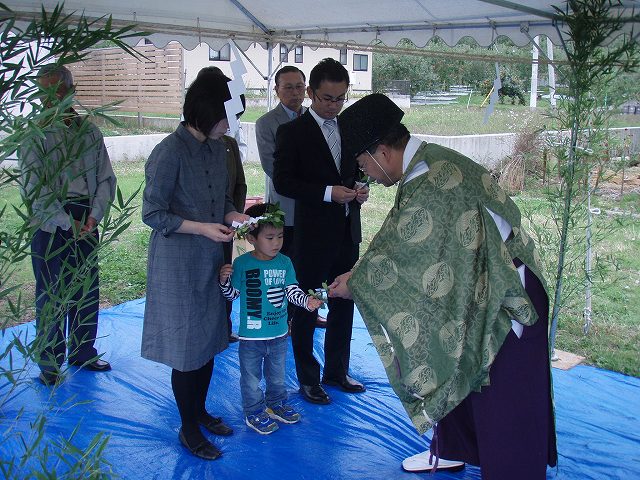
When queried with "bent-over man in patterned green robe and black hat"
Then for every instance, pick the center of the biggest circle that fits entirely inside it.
(452, 292)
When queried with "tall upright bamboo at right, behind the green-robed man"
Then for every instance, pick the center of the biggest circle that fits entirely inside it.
(588, 26)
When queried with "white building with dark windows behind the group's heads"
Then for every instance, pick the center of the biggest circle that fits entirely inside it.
(357, 63)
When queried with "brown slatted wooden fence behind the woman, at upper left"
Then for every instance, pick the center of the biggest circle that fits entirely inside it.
(154, 84)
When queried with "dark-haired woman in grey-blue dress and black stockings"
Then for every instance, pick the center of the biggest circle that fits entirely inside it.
(186, 204)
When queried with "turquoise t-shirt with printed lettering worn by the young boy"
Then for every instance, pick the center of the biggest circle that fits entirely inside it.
(263, 300)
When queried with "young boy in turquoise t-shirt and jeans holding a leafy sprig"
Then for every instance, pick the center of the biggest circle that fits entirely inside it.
(265, 281)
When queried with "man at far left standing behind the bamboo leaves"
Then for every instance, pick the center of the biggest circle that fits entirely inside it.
(69, 183)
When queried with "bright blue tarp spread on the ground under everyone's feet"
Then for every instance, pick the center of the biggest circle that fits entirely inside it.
(363, 436)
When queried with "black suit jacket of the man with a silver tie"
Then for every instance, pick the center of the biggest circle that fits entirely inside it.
(303, 168)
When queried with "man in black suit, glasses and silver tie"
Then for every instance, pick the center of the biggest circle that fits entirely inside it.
(314, 168)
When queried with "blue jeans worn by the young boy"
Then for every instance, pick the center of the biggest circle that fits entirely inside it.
(256, 355)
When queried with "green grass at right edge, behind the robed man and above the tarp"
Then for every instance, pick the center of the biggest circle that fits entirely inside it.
(613, 341)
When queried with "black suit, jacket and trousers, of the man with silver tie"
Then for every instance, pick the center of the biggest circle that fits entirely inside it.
(325, 241)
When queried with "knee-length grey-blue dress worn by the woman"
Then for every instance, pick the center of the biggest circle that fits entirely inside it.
(184, 319)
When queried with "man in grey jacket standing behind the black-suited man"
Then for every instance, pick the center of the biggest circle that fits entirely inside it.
(290, 89)
